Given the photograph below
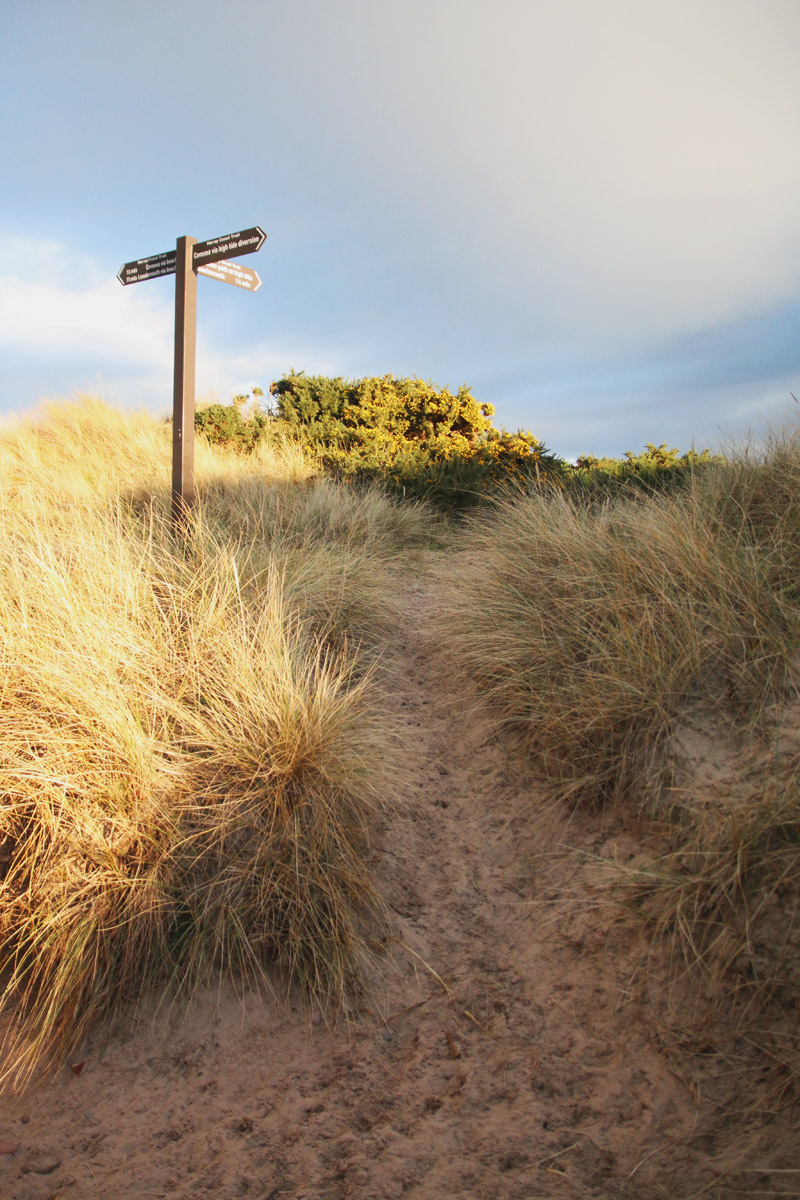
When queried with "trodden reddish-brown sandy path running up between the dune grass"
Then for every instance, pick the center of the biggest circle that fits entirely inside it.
(507, 1054)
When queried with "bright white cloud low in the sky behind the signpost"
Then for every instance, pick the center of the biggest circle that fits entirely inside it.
(67, 327)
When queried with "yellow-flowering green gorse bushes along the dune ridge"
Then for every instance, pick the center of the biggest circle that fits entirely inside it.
(422, 441)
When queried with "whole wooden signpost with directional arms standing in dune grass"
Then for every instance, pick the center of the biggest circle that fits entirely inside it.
(190, 259)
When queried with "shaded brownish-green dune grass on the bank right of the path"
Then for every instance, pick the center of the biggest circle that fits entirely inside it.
(647, 651)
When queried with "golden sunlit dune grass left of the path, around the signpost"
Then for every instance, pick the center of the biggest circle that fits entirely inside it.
(190, 749)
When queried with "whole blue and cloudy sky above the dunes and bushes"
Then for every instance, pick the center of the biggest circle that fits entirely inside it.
(586, 211)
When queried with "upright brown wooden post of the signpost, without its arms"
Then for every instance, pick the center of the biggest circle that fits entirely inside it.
(184, 386)
